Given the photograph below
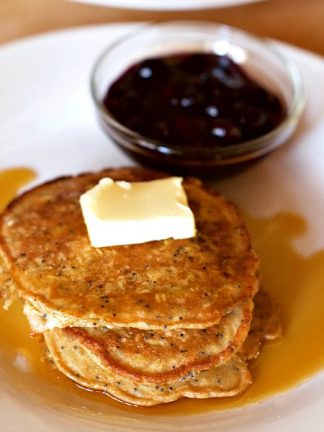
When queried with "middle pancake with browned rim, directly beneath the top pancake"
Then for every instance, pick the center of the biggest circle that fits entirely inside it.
(161, 355)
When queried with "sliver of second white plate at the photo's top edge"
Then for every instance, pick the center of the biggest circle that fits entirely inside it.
(167, 4)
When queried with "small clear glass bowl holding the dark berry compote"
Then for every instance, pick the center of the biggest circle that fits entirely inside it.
(259, 58)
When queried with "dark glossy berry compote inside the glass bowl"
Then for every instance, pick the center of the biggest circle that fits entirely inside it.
(193, 100)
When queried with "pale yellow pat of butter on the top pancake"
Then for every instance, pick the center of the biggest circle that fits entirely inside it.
(122, 213)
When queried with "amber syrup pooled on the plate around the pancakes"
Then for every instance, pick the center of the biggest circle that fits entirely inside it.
(295, 282)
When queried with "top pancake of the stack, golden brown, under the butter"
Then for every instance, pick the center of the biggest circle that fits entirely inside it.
(189, 283)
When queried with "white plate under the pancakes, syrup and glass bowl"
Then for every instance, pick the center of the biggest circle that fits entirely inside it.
(48, 123)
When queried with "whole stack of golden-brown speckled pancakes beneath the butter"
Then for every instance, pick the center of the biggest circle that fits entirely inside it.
(146, 323)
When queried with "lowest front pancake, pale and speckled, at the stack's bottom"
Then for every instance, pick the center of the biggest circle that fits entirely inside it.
(81, 365)
